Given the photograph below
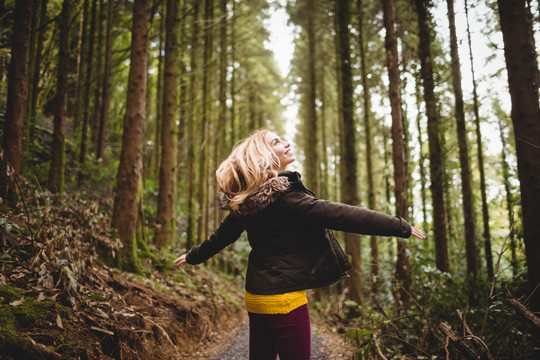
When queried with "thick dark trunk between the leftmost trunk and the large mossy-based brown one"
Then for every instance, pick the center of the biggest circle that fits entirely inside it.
(56, 172)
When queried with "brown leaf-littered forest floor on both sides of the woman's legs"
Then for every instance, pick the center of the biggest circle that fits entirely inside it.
(58, 300)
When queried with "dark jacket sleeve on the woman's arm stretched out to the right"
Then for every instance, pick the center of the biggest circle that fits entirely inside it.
(343, 217)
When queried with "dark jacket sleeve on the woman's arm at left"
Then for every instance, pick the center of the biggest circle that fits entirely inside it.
(228, 232)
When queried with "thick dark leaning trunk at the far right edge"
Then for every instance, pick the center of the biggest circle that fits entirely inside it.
(522, 67)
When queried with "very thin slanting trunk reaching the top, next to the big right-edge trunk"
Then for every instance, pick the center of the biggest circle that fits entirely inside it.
(485, 213)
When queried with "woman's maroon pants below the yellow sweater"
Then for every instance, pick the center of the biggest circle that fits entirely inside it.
(288, 335)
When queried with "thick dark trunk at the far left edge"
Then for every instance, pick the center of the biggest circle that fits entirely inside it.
(17, 94)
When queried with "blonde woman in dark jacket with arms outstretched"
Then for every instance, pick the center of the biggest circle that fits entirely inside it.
(293, 248)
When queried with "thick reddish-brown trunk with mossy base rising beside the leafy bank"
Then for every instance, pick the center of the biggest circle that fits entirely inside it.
(128, 188)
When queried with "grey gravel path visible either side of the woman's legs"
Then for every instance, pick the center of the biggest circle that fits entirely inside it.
(324, 346)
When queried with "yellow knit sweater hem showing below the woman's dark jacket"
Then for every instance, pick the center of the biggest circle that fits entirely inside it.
(275, 304)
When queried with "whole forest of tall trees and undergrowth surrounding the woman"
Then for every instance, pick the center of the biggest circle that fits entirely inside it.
(116, 114)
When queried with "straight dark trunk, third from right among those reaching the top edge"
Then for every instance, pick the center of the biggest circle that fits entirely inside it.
(466, 182)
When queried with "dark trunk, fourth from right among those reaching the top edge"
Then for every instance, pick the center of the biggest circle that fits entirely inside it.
(435, 154)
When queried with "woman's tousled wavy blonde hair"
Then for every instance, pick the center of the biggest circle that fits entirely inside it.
(251, 163)
